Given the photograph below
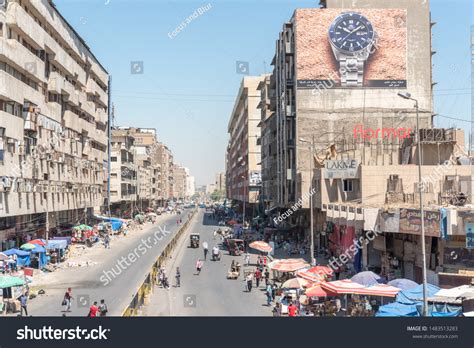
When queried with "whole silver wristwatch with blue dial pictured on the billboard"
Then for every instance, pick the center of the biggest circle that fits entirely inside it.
(352, 38)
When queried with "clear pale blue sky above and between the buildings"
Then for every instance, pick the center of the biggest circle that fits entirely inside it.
(188, 84)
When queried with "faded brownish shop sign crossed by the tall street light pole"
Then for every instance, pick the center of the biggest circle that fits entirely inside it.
(410, 222)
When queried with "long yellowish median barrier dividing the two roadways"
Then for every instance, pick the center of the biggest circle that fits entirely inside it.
(146, 288)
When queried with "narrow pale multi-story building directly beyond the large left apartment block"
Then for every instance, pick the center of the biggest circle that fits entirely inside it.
(123, 173)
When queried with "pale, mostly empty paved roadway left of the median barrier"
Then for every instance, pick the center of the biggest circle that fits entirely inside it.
(117, 290)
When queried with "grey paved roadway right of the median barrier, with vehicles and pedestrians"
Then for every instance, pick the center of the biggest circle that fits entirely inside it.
(207, 294)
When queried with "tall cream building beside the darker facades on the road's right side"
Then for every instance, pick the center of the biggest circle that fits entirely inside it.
(243, 171)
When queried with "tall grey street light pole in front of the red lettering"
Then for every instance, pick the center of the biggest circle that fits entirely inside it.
(422, 211)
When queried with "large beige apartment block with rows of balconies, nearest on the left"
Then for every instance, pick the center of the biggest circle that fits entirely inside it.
(53, 123)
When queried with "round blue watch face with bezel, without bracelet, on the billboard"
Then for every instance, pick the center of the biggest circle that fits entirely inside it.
(351, 32)
